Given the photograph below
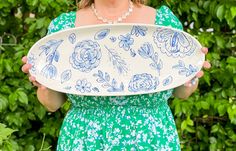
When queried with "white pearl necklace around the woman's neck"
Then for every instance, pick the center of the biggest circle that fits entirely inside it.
(120, 19)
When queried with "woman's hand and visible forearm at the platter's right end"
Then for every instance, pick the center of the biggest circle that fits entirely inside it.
(188, 88)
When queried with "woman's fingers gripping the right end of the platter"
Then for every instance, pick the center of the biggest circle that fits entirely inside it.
(206, 65)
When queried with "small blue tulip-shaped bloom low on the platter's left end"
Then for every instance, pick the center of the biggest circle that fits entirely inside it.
(49, 71)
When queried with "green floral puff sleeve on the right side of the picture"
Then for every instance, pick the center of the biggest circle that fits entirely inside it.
(166, 17)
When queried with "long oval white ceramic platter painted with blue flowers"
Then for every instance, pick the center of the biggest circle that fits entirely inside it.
(115, 60)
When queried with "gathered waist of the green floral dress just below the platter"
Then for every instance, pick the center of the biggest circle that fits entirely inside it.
(151, 100)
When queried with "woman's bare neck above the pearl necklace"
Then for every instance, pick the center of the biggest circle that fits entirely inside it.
(111, 8)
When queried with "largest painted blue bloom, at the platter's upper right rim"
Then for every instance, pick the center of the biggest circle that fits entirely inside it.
(174, 43)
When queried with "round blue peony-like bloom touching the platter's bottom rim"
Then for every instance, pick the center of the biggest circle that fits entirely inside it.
(143, 82)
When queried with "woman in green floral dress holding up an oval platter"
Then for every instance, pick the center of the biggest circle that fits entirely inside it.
(139, 122)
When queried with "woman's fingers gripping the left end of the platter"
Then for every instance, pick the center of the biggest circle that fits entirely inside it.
(25, 68)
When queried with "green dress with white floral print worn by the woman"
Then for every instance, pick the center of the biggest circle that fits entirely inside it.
(127, 123)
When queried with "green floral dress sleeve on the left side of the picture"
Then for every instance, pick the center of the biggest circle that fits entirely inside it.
(63, 21)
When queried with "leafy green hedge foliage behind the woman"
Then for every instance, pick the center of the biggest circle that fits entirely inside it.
(206, 121)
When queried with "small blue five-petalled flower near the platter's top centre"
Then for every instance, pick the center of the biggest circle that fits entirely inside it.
(125, 41)
